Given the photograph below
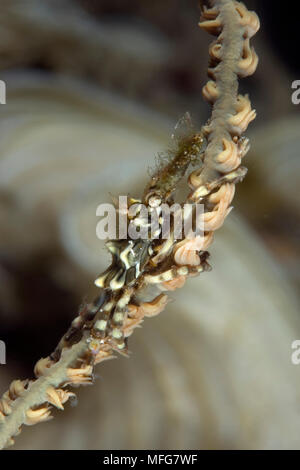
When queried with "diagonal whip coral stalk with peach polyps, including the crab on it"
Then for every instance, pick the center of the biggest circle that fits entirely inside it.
(103, 326)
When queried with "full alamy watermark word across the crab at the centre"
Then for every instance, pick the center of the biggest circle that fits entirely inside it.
(156, 220)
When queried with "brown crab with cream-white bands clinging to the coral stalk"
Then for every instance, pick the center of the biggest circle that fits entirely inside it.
(130, 258)
